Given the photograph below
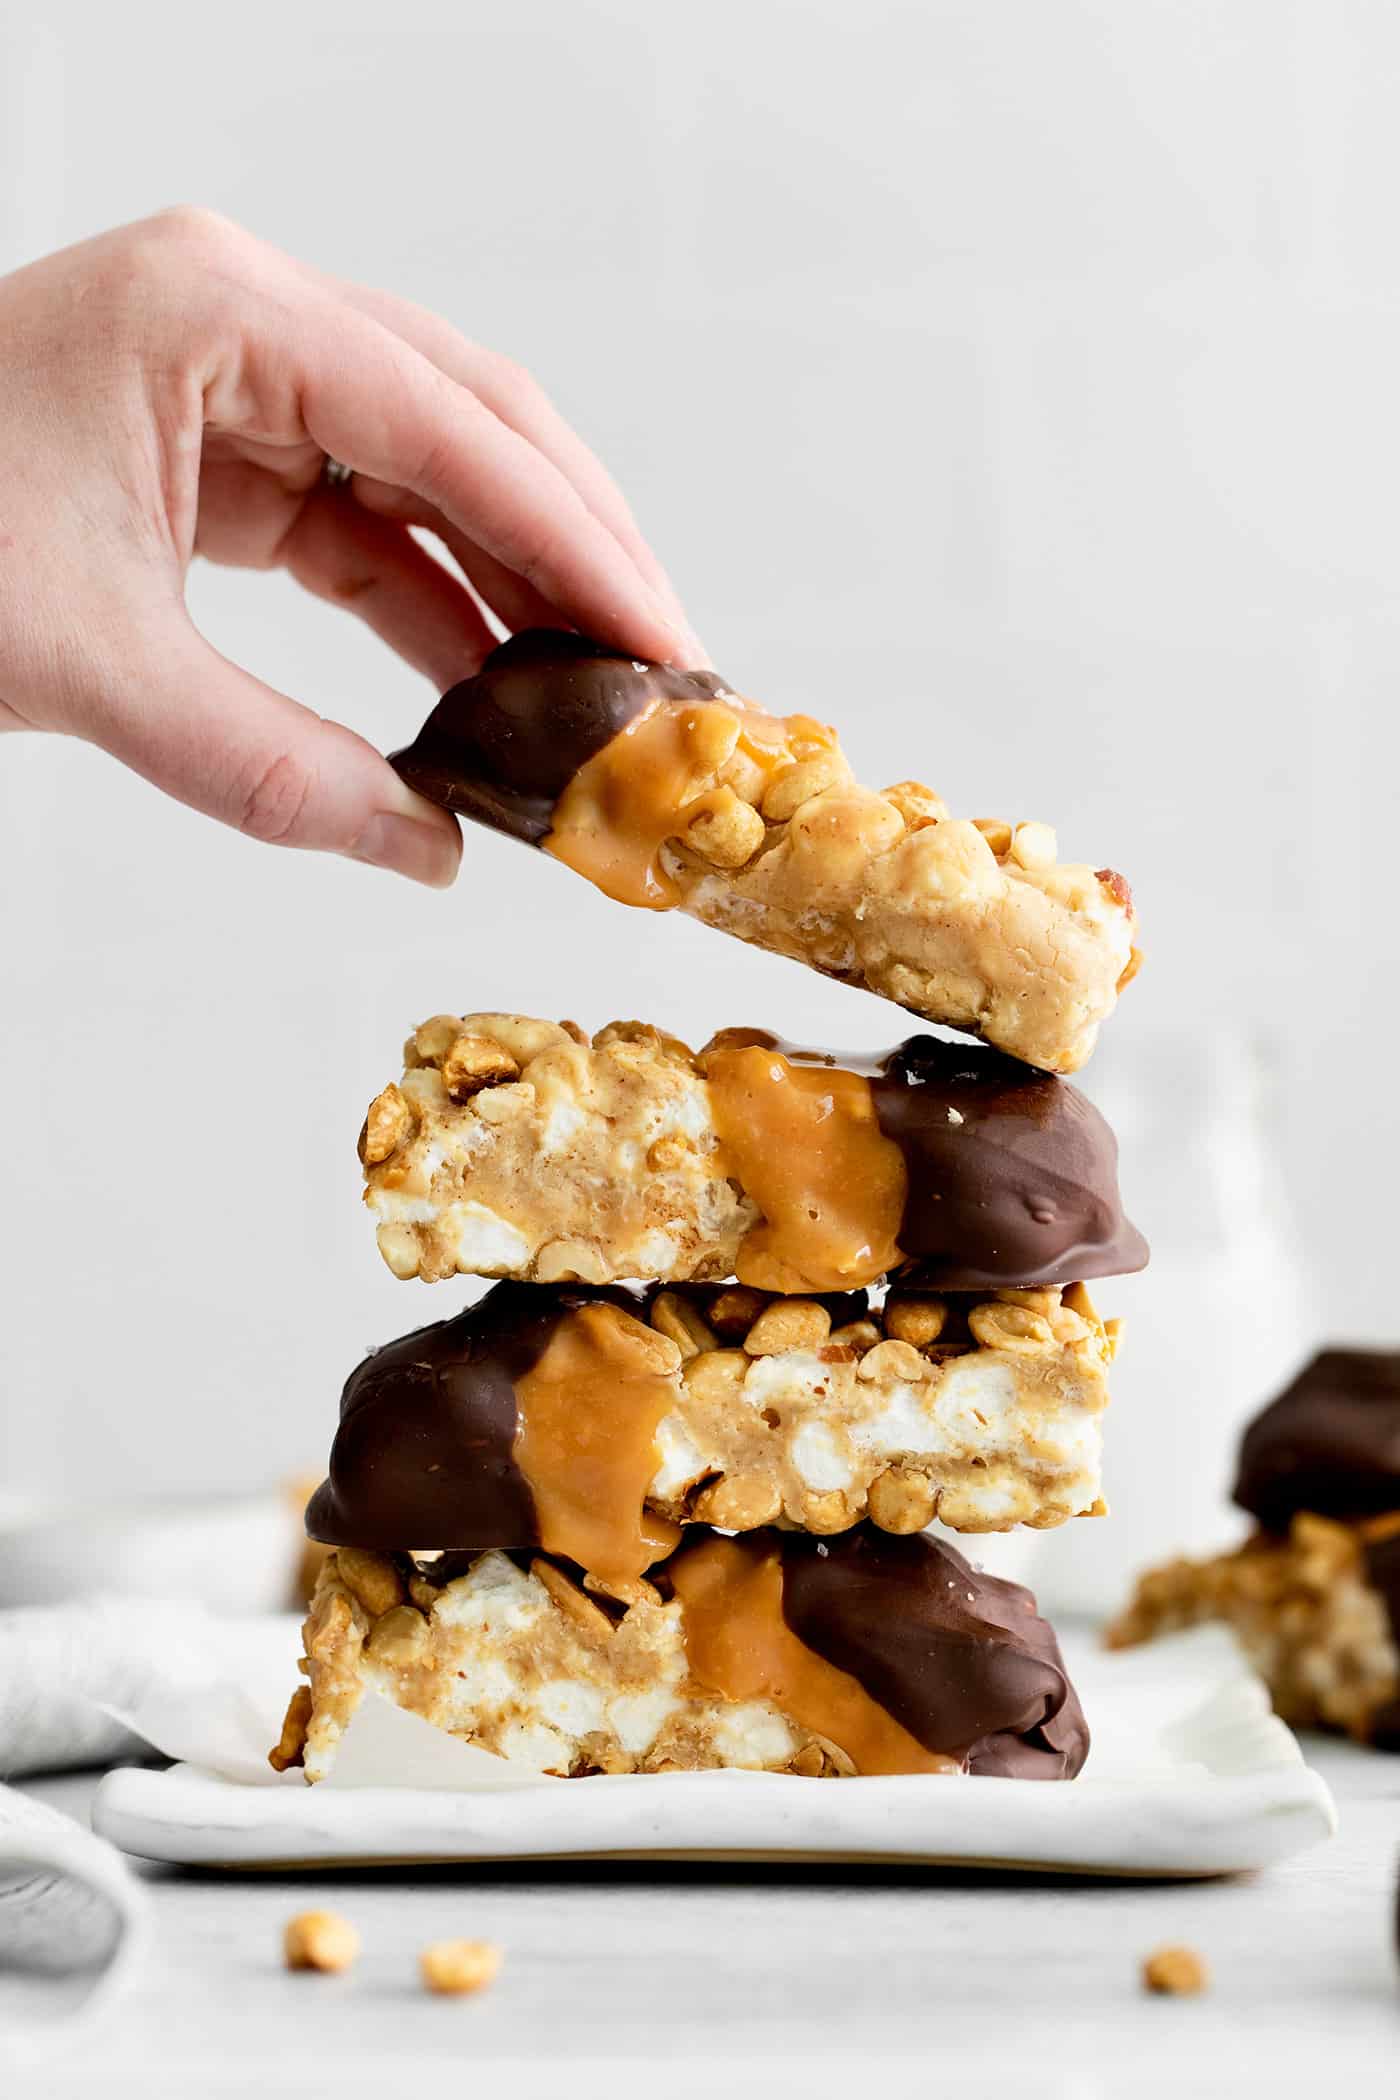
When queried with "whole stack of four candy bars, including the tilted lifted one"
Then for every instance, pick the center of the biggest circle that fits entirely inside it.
(660, 1498)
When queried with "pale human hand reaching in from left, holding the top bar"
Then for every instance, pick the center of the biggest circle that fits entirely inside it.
(175, 390)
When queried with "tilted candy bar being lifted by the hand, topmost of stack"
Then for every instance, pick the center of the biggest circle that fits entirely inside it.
(671, 791)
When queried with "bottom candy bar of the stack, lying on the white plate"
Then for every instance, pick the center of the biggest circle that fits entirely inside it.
(773, 1654)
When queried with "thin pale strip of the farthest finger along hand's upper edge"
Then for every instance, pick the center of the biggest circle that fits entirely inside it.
(515, 396)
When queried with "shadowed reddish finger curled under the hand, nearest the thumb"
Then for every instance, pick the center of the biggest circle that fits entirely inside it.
(377, 570)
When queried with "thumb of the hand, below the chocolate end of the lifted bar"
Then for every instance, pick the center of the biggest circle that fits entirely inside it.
(219, 740)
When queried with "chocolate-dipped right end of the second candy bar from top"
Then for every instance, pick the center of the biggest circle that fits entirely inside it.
(1013, 1173)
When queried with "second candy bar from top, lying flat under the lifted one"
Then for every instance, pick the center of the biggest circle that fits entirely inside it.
(528, 1150)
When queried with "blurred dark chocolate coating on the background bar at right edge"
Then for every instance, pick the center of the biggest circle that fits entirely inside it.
(1330, 1444)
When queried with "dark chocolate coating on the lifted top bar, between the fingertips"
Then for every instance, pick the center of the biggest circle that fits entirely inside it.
(503, 747)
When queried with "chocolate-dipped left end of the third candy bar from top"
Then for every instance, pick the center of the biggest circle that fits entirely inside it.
(425, 1452)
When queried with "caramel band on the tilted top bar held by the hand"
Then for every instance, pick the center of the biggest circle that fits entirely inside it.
(643, 789)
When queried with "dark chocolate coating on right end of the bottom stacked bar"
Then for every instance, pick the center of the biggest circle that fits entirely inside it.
(958, 1658)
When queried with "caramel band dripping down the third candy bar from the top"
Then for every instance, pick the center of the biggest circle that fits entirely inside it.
(587, 1442)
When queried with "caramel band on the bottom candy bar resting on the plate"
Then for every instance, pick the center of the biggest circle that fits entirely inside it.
(742, 1647)
